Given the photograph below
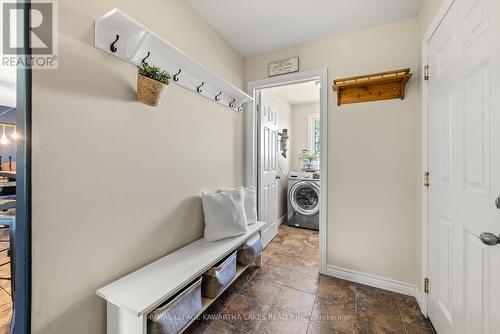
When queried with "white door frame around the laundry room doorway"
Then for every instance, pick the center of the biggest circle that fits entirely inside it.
(251, 158)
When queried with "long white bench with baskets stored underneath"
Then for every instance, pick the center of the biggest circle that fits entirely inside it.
(132, 297)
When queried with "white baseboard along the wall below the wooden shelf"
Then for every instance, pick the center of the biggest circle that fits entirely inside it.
(373, 280)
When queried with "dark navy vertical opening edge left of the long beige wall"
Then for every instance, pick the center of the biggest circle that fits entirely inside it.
(22, 249)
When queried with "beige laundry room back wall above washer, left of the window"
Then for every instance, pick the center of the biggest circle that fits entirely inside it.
(300, 125)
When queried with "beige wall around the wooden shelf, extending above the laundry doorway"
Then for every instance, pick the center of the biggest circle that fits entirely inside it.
(372, 151)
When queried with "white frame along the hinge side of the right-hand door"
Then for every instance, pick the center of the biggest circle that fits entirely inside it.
(422, 297)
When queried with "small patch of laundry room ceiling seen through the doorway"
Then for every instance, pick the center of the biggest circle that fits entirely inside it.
(303, 93)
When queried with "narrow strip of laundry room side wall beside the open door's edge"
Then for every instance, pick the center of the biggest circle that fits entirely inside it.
(284, 164)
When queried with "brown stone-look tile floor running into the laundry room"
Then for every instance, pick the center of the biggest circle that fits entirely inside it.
(287, 295)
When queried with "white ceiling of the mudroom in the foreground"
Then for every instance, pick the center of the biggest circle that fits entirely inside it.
(259, 26)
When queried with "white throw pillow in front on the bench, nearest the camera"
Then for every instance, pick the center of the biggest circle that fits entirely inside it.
(224, 214)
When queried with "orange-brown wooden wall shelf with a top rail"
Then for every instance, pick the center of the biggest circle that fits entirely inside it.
(372, 87)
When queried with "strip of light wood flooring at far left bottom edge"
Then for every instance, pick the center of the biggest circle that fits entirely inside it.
(5, 298)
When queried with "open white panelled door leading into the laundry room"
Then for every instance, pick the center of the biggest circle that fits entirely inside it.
(267, 166)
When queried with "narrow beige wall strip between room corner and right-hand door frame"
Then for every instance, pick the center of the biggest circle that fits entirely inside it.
(425, 17)
